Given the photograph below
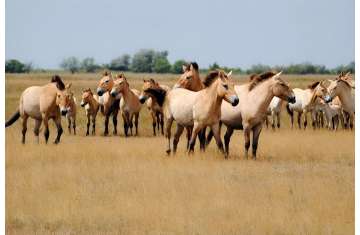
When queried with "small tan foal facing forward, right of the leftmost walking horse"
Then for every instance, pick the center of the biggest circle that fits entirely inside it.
(91, 103)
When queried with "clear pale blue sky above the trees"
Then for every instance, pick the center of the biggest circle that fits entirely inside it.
(234, 33)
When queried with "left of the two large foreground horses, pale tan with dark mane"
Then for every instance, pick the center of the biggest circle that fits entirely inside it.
(198, 109)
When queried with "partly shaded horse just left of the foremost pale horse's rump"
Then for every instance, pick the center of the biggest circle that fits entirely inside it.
(153, 103)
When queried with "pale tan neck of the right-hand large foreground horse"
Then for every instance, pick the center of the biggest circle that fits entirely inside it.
(263, 95)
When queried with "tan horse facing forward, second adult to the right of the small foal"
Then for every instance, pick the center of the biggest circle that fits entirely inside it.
(130, 105)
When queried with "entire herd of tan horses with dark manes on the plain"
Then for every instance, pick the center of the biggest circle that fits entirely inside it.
(195, 104)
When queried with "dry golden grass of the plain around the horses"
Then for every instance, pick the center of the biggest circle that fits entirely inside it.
(302, 183)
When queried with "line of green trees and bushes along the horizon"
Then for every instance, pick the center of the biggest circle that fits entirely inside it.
(152, 61)
